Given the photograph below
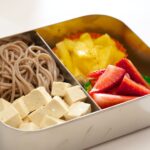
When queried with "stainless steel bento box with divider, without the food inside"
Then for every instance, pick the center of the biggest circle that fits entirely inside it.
(100, 125)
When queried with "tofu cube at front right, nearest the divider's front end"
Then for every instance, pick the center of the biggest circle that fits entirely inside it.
(78, 109)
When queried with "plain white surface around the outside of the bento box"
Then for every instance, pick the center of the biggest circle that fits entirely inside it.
(22, 15)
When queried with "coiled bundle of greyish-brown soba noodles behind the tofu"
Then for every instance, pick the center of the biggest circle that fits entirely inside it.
(23, 68)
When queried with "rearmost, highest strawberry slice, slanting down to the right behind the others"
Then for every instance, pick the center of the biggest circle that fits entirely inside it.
(132, 71)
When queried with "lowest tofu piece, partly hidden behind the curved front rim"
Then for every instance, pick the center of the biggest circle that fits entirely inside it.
(30, 126)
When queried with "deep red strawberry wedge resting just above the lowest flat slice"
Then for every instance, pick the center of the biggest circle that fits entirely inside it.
(130, 87)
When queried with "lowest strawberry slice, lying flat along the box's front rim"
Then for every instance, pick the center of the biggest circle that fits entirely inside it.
(107, 100)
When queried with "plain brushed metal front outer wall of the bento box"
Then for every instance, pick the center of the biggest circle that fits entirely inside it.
(82, 133)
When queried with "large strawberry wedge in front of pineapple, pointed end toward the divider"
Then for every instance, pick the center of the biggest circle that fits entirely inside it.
(110, 78)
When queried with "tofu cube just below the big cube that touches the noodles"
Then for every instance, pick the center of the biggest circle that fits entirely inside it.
(37, 116)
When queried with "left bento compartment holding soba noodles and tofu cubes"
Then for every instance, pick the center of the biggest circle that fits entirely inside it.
(34, 92)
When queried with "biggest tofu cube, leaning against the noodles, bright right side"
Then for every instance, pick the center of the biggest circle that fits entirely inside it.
(37, 98)
